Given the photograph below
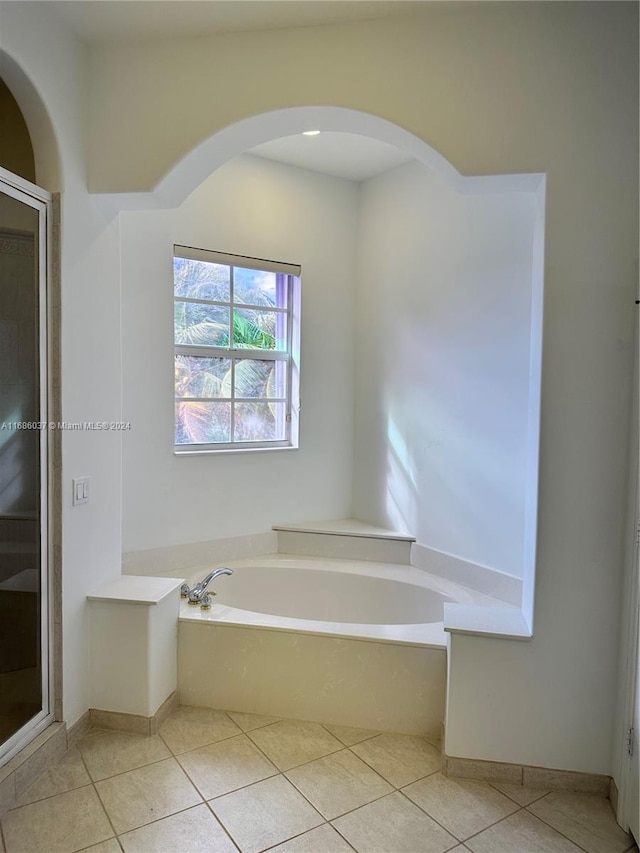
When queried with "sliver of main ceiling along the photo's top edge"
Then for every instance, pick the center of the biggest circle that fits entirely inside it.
(98, 21)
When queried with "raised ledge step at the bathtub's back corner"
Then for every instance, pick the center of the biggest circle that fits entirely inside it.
(346, 539)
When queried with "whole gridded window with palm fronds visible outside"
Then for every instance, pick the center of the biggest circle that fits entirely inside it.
(236, 336)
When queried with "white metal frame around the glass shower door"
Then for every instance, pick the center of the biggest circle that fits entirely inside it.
(41, 201)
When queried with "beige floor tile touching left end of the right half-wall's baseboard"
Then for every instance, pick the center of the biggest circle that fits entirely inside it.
(462, 806)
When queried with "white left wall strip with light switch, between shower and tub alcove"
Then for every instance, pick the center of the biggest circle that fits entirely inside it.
(48, 70)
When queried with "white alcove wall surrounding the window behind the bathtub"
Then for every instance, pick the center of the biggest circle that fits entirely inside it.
(254, 207)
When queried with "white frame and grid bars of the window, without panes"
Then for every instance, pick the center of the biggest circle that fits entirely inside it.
(290, 355)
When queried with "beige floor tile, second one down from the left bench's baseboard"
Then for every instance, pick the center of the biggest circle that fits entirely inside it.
(147, 794)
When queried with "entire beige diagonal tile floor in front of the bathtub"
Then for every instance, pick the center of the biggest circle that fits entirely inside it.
(221, 782)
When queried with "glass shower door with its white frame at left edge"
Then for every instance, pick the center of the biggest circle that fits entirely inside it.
(25, 701)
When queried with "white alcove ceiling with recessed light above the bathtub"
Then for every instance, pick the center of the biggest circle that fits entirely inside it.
(343, 155)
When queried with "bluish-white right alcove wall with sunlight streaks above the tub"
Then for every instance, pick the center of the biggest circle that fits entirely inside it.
(444, 317)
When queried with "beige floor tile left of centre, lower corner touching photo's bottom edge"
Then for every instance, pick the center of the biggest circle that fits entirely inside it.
(265, 814)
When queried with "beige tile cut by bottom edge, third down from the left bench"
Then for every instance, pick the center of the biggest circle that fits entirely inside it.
(195, 830)
